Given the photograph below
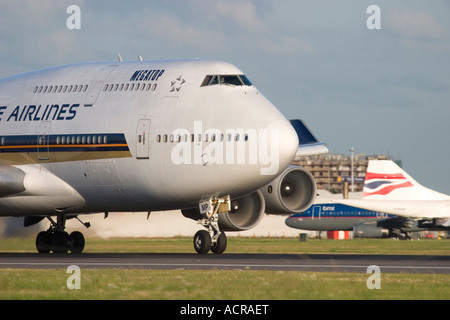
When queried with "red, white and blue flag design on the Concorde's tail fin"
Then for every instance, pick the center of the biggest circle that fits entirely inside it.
(383, 184)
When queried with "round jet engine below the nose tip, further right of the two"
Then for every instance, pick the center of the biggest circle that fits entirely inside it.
(291, 192)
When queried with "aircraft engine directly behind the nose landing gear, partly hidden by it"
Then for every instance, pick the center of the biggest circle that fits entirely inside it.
(246, 213)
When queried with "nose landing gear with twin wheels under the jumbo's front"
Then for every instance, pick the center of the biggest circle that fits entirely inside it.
(212, 239)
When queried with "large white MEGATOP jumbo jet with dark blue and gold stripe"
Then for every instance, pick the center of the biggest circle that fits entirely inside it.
(107, 137)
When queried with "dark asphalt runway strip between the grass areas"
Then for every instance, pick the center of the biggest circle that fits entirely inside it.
(283, 262)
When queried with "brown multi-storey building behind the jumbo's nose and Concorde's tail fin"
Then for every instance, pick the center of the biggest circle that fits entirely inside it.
(332, 170)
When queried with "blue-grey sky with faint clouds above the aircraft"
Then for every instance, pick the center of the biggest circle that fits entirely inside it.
(380, 91)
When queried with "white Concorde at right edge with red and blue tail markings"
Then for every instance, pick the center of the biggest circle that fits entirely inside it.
(389, 189)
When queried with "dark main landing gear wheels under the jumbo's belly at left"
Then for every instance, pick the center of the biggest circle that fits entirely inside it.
(55, 239)
